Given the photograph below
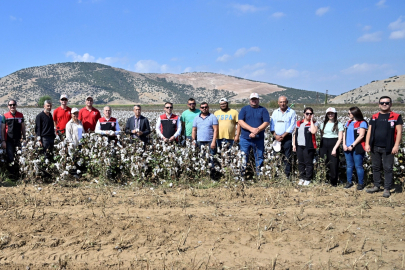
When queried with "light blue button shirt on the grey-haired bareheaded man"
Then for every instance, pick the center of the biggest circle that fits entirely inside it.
(283, 122)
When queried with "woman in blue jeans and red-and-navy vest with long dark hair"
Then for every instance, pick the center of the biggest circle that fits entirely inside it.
(354, 146)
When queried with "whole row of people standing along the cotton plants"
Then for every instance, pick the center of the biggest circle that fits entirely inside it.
(381, 136)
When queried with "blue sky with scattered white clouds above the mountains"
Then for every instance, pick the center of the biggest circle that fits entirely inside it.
(312, 45)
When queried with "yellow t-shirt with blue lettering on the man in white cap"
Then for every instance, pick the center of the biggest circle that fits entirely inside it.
(227, 123)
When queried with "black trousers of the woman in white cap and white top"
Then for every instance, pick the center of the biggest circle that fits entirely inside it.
(331, 162)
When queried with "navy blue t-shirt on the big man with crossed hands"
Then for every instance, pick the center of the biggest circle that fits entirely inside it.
(254, 117)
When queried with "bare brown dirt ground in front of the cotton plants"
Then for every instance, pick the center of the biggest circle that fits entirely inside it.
(116, 227)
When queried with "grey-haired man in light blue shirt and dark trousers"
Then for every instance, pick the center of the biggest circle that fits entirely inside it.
(282, 126)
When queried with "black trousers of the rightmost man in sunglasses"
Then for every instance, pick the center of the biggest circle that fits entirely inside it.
(381, 159)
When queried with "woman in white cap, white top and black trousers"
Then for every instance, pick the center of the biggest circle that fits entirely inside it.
(331, 138)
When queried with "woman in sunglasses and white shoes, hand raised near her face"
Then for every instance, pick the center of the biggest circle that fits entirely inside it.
(304, 143)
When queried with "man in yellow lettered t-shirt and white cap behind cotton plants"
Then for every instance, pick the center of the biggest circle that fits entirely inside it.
(228, 128)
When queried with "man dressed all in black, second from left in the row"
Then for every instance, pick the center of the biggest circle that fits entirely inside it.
(45, 129)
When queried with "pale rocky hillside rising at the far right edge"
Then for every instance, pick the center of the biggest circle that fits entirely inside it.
(393, 87)
